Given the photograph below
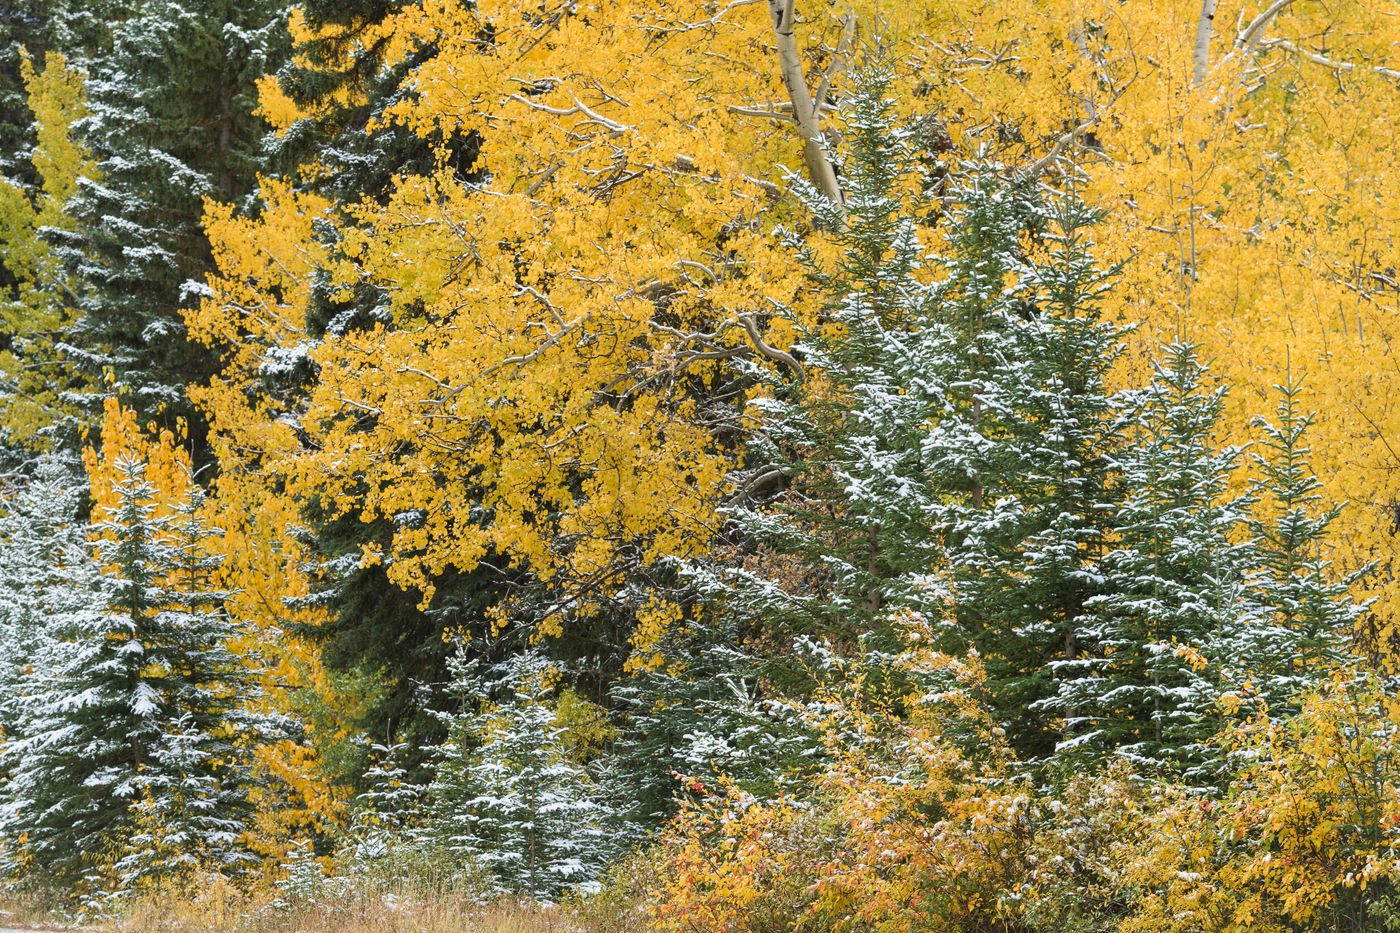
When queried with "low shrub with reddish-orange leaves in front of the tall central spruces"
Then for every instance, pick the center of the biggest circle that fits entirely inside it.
(919, 823)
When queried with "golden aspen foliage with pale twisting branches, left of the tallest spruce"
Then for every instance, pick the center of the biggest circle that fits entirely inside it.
(531, 392)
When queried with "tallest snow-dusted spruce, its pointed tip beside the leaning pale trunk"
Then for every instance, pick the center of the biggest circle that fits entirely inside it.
(848, 539)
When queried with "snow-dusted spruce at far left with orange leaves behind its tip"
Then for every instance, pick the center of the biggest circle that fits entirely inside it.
(134, 753)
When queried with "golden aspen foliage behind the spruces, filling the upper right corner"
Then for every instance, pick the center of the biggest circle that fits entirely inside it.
(1248, 180)
